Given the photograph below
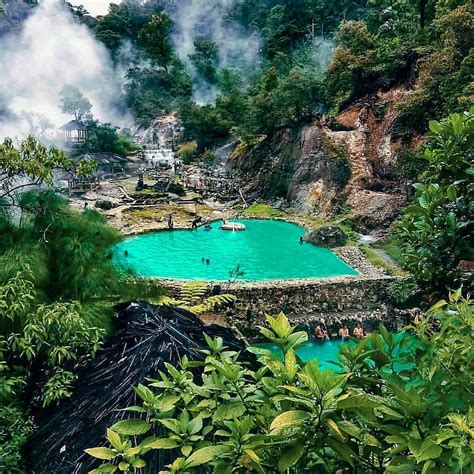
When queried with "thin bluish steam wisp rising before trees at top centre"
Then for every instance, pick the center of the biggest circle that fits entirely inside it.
(209, 19)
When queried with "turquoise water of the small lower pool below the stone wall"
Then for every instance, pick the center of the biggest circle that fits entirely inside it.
(324, 352)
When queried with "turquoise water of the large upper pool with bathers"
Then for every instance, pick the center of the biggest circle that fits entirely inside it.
(267, 250)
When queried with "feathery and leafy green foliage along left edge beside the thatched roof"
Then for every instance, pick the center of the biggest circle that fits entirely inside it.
(58, 285)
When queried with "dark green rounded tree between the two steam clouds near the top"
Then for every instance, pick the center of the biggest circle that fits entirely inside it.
(154, 38)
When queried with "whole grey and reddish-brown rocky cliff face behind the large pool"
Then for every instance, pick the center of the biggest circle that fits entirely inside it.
(320, 166)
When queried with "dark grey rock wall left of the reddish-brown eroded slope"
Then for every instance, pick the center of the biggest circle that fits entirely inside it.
(301, 165)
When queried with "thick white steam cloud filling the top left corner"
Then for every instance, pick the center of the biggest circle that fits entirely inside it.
(50, 51)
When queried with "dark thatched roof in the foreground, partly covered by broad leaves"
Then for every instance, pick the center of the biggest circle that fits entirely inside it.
(146, 337)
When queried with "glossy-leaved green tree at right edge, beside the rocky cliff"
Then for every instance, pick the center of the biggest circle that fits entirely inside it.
(436, 229)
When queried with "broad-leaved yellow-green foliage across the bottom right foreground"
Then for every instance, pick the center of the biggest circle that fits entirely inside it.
(394, 403)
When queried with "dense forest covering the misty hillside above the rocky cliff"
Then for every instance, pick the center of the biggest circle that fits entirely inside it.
(379, 45)
